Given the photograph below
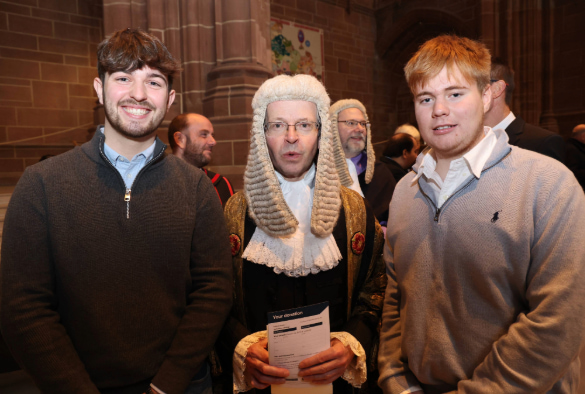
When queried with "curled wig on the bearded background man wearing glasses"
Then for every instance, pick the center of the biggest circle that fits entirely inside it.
(340, 162)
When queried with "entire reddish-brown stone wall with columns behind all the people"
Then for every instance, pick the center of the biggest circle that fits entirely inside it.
(47, 62)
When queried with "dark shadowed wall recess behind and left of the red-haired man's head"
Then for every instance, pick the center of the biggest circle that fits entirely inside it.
(402, 27)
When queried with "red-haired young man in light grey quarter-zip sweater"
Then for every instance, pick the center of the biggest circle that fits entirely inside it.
(484, 251)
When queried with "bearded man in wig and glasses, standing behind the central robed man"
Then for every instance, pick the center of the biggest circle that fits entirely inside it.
(355, 158)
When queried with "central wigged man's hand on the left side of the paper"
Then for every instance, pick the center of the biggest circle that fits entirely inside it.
(258, 372)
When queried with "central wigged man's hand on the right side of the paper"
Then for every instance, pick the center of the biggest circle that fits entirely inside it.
(328, 365)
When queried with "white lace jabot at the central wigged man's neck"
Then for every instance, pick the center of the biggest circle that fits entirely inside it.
(302, 253)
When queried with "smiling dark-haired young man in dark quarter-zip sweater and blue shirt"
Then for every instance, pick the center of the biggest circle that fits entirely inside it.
(108, 281)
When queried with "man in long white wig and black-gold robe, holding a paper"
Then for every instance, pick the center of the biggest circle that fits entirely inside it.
(298, 238)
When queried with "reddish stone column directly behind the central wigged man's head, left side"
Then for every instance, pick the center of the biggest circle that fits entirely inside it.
(242, 49)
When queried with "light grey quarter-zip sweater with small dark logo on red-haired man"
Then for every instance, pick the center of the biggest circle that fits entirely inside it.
(486, 295)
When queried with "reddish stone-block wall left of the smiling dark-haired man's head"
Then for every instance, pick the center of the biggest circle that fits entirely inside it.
(47, 67)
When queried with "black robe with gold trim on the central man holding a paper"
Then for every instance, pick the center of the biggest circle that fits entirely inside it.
(260, 290)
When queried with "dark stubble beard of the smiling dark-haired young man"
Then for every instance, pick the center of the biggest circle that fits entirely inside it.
(132, 129)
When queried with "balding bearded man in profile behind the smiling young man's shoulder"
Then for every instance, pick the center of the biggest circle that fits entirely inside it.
(191, 139)
